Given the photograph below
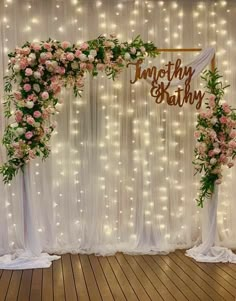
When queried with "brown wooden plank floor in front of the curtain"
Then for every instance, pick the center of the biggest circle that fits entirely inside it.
(122, 277)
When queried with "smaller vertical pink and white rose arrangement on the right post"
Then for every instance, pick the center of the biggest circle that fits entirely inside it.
(216, 137)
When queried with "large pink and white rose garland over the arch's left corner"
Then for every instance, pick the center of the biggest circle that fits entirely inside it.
(37, 71)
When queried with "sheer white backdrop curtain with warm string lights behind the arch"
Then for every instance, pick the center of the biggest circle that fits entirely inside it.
(120, 176)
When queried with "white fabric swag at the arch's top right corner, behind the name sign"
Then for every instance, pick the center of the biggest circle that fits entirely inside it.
(202, 60)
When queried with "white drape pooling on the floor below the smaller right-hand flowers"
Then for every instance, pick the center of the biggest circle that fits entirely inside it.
(208, 250)
